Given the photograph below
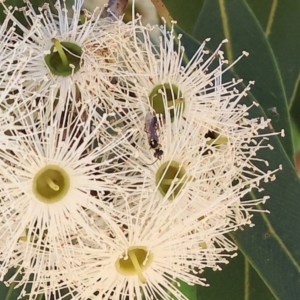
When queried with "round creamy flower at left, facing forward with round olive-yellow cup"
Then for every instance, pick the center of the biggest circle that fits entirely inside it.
(55, 176)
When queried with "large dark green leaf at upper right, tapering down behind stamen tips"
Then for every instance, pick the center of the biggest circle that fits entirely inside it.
(235, 21)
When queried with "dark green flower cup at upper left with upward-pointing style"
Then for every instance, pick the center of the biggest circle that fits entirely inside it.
(64, 58)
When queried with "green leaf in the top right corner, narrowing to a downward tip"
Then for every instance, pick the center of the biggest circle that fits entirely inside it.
(280, 22)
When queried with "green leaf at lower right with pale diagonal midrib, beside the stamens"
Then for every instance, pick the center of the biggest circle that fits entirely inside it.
(272, 246)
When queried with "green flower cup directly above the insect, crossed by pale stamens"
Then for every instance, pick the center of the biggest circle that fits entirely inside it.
(167, 96)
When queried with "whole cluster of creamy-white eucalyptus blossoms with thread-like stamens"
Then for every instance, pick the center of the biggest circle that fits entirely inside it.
(122, 166)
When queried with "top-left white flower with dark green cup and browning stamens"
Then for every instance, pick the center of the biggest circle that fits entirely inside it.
(76, 56)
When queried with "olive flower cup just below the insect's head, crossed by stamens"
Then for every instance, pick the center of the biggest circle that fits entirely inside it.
(171, 178)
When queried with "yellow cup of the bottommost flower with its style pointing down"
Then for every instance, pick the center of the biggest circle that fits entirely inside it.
(134, 262)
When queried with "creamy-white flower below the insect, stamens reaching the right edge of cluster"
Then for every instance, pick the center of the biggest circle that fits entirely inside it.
(176, 158)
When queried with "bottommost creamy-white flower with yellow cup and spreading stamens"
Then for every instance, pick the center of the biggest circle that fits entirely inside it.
(145, 254)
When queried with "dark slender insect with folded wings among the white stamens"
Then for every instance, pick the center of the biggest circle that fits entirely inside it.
(150, 128)
